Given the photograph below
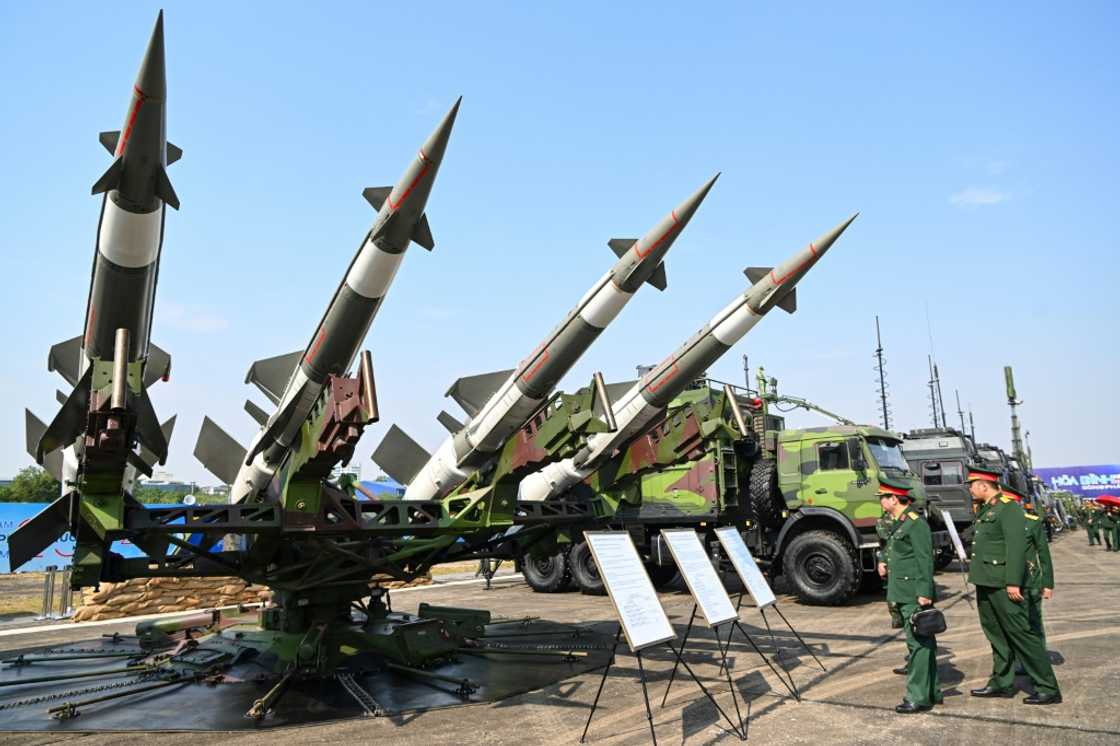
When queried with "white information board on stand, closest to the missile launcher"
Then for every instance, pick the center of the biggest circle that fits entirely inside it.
(645, 621)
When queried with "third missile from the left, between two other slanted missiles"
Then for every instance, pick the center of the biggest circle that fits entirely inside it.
(499, 404)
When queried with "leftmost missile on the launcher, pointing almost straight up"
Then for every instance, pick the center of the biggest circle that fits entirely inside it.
(118, 319)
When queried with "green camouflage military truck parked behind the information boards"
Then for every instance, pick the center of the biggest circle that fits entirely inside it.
(805, 500)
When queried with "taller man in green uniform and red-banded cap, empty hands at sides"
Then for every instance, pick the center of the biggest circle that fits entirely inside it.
(997, 571)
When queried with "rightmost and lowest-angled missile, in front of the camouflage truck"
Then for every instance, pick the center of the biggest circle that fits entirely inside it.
(634, 411)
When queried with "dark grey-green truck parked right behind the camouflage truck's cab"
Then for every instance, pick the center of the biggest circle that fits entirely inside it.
(941, 458)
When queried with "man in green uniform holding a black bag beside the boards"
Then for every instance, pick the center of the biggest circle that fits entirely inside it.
(909, 558)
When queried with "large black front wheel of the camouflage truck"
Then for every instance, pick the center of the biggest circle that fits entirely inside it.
(822, 568)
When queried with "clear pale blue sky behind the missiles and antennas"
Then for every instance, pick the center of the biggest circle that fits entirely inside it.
(978, 143)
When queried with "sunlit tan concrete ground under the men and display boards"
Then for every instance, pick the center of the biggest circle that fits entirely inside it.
(851, 704)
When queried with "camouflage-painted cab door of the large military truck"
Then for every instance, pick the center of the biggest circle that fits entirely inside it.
(832, 480)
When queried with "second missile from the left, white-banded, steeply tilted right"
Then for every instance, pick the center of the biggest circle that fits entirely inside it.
(295, 381)
